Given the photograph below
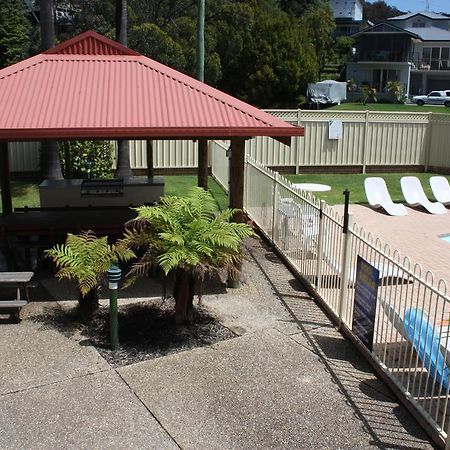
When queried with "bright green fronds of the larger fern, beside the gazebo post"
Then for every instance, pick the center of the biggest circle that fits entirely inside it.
(185, 232)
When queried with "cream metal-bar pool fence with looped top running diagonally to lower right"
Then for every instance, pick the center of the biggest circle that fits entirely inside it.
(410, 345)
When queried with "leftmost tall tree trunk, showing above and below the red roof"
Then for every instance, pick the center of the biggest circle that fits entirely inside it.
(50, 164)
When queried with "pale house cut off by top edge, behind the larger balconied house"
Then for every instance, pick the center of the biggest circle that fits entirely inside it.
(348, 15)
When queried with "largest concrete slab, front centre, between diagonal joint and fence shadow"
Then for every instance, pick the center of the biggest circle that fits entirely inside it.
(261, 390)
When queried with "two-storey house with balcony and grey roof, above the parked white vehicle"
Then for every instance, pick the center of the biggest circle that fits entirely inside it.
(412, 48)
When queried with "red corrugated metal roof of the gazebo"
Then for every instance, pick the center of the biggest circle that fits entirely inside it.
(92, 87)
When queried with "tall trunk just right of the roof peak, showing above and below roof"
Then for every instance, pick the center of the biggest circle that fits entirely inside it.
(123, 147)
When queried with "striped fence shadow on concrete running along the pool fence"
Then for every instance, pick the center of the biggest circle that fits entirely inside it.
(388, 424)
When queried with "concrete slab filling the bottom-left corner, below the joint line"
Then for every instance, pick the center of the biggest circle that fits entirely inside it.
(91, 412)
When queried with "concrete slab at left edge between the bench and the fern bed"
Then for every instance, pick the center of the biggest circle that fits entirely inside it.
(34, 354)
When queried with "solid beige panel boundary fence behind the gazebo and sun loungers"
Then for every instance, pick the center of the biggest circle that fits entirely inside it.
(368, 139)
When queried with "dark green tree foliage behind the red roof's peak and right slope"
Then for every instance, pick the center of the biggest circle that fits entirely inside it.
(262, 51)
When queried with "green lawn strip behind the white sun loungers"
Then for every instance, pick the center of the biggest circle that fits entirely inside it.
(355, 184)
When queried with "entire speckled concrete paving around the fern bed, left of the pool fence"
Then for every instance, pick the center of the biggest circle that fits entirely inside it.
(289, 380)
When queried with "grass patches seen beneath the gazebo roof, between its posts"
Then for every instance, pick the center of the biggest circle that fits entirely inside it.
(25, 192)
